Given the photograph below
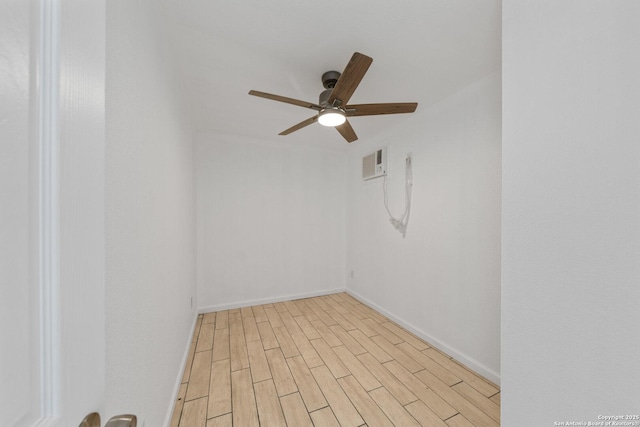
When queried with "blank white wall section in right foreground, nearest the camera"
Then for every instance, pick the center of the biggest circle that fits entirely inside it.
(571, 211)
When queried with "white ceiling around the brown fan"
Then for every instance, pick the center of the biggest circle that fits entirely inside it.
(422, 50)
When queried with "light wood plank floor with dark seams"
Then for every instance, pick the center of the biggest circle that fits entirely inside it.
(324, 361)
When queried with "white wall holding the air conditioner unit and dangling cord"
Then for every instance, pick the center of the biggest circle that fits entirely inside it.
(443, 280)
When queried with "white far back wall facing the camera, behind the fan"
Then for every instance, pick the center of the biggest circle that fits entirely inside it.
(271, 221)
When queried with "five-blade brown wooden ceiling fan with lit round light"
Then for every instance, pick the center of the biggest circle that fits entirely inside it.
(332, 107)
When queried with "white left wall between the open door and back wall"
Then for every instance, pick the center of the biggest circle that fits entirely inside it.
(150, 224)
